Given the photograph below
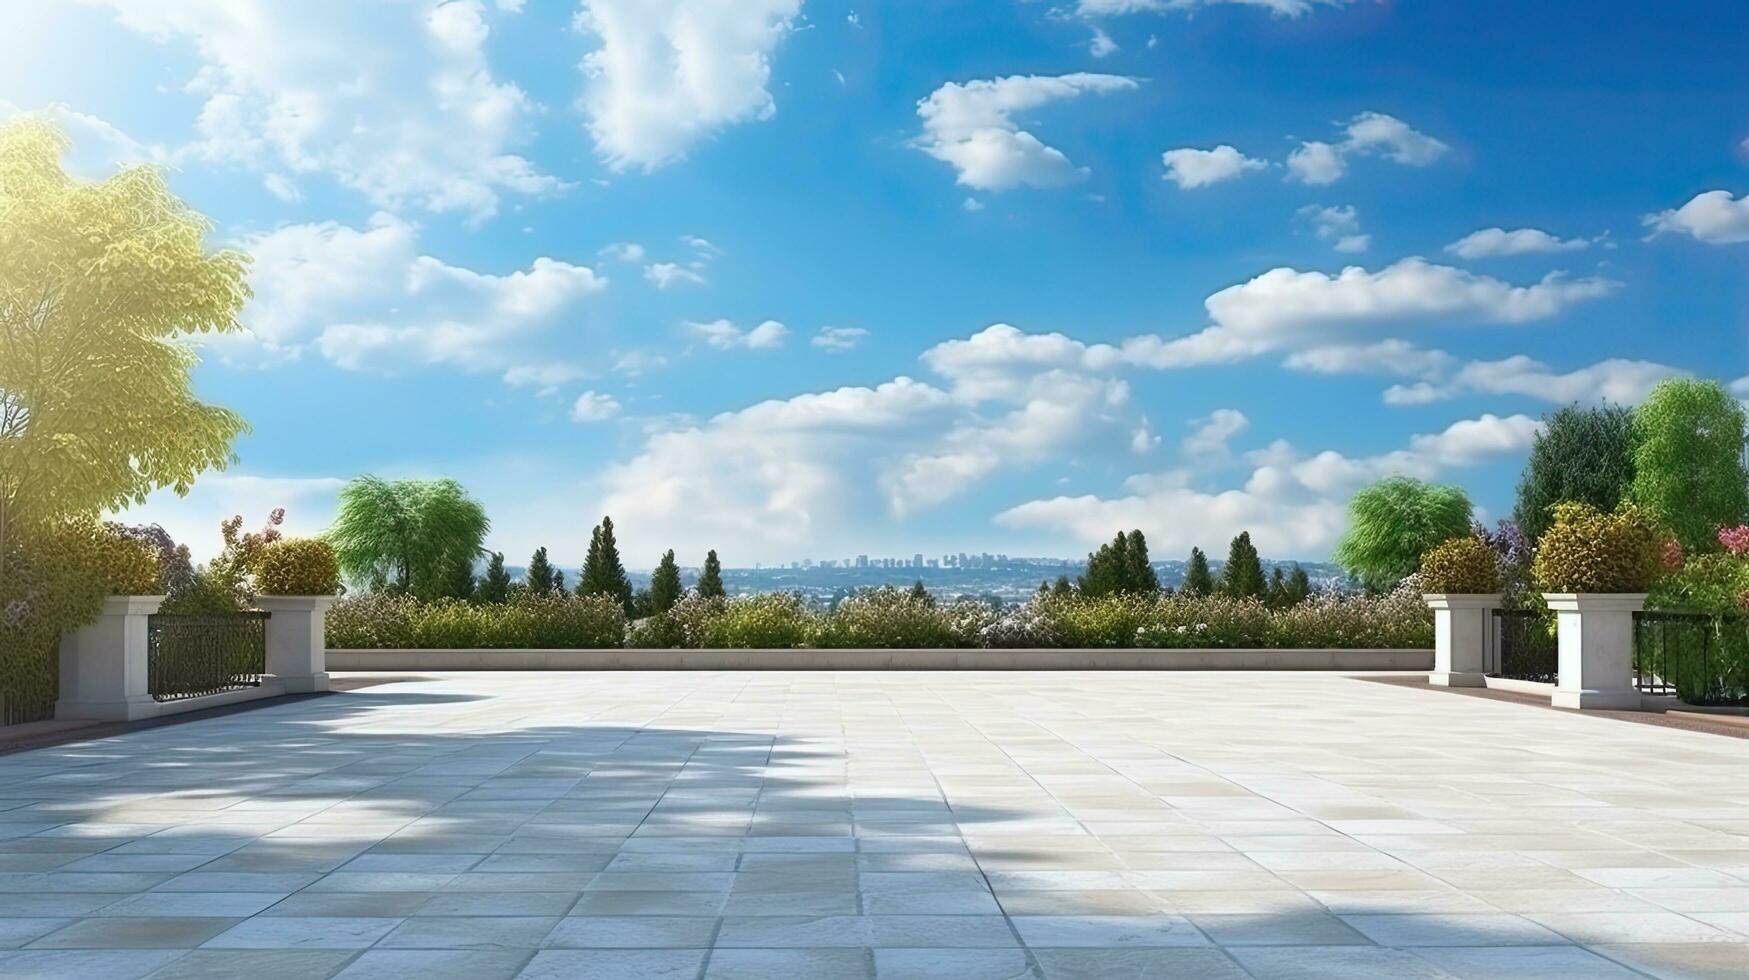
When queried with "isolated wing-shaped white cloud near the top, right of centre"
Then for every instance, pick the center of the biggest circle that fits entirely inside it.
(972, 127)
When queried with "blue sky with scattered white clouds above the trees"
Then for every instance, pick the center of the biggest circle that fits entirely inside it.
(807, 279)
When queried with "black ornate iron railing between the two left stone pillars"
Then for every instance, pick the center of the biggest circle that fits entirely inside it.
(197, 655)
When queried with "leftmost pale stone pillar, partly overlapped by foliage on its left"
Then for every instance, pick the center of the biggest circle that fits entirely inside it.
(104, 664)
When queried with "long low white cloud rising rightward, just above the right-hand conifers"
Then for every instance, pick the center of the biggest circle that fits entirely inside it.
(1292, 505)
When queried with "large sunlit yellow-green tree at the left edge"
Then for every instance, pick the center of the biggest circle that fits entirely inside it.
(99, 283)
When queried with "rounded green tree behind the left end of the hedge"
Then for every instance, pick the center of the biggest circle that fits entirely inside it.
(410, 535)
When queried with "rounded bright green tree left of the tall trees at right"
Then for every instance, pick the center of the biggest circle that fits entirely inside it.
(1393, 524)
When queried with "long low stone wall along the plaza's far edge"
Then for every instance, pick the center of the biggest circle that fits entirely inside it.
(881, 661)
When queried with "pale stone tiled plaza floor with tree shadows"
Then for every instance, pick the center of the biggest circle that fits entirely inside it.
(881, 825)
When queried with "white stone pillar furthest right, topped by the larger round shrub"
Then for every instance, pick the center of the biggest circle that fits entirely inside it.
(1596, 647)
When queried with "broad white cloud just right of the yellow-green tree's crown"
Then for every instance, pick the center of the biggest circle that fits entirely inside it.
(368, 300)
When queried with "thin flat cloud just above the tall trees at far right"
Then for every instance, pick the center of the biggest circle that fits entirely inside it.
(1619, 381)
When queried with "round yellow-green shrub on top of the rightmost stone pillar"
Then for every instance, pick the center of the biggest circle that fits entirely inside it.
(1589, 550)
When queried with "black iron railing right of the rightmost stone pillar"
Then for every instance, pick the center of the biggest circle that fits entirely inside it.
(1699, 659)
